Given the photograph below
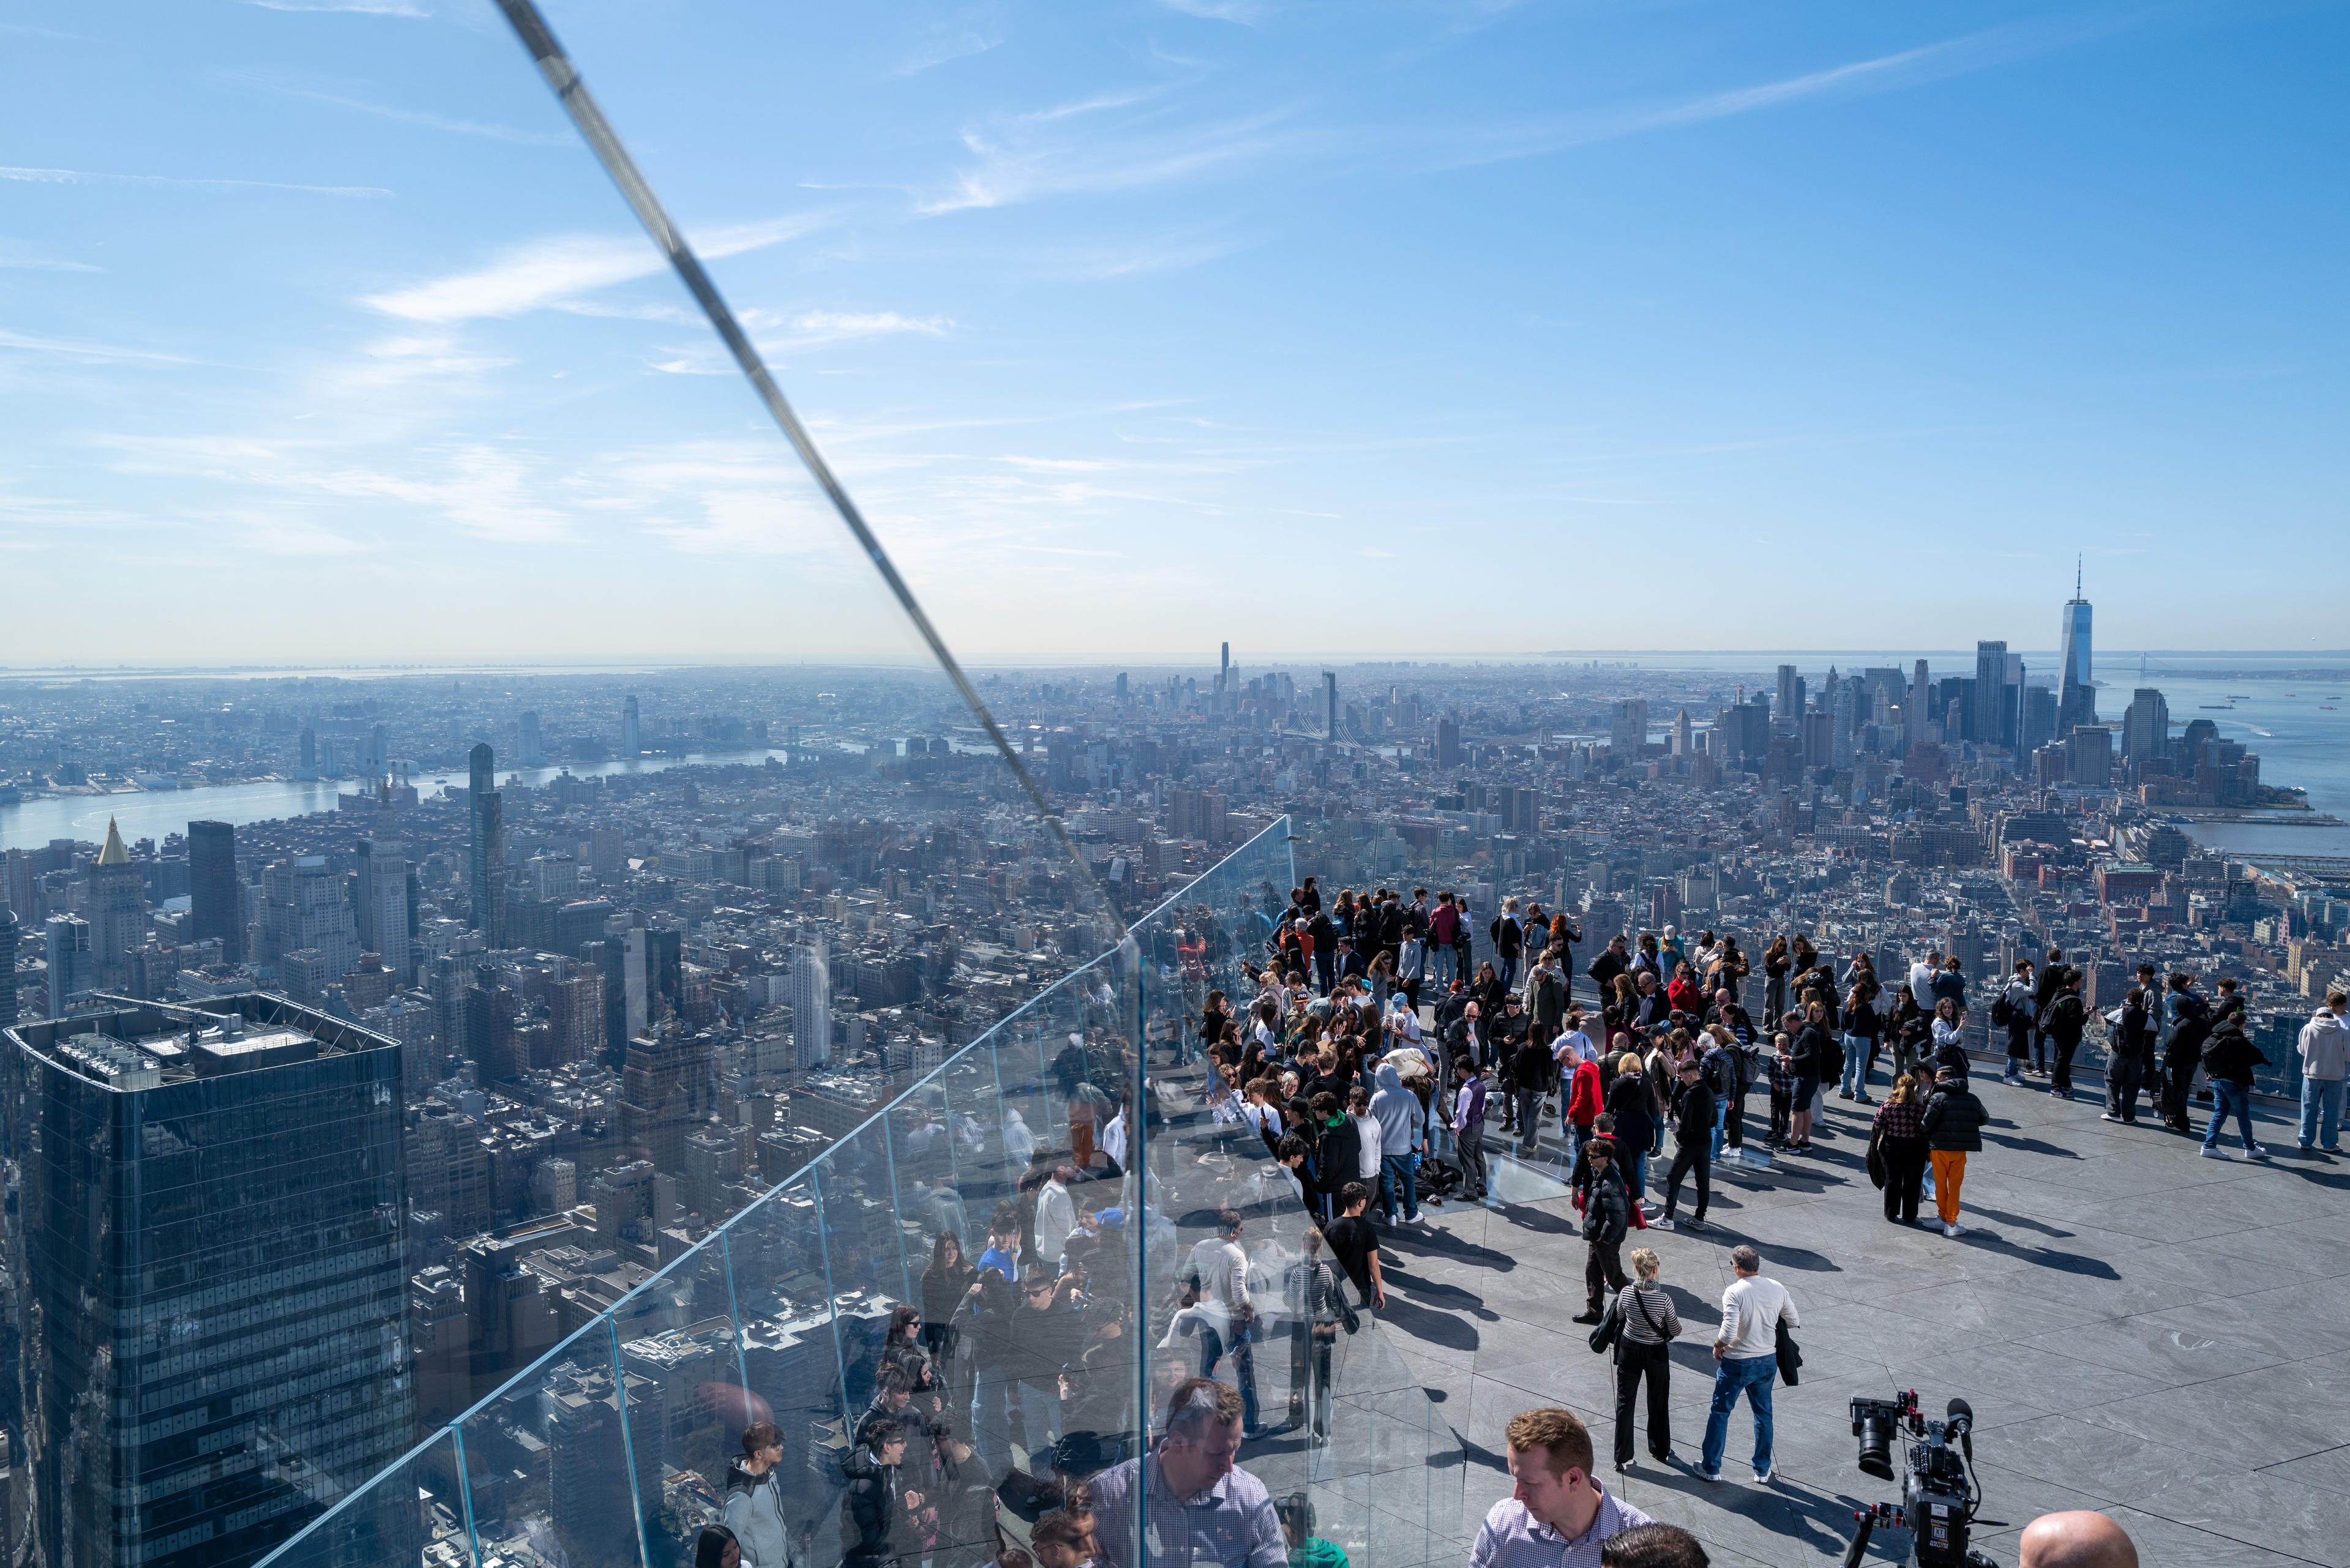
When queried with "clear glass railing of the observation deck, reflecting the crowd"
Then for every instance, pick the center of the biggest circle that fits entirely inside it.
(624, 1445)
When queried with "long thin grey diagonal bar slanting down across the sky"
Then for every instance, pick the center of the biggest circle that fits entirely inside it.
(572, 93)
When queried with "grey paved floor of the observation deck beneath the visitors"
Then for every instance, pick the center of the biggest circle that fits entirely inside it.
(2140, 1332)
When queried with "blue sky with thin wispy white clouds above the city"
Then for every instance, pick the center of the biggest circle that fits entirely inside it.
(1150, 323)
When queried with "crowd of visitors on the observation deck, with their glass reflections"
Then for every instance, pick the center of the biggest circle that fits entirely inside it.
(1364, 1061)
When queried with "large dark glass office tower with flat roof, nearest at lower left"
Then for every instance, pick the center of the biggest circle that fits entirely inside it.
(206, 1282)
